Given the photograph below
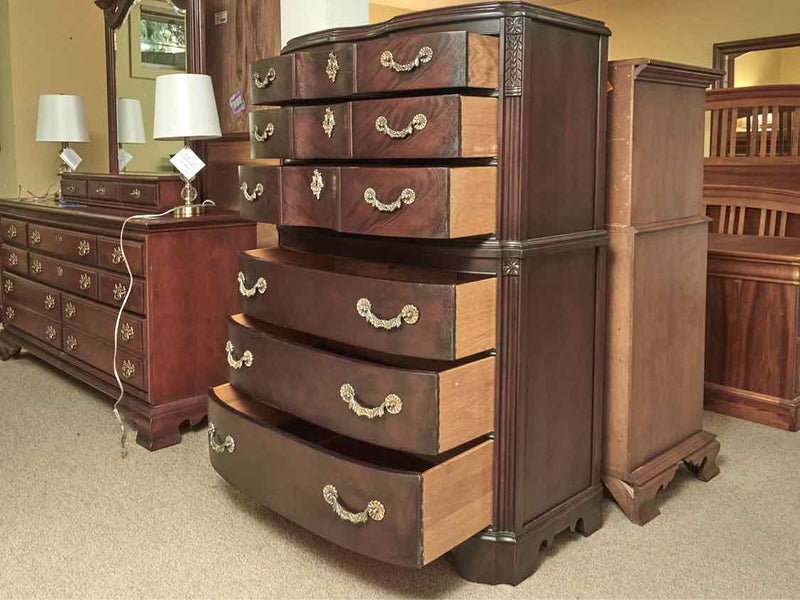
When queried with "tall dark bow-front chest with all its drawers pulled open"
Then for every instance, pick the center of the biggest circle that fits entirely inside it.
(417, 368)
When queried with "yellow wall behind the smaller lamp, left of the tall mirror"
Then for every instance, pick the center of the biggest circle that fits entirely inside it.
(55, 51)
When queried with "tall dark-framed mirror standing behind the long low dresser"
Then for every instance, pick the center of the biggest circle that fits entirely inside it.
(144, 39)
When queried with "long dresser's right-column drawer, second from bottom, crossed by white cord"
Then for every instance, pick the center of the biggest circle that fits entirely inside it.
(100, 321)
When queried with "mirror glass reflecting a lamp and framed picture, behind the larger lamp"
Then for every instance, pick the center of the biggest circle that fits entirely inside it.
(150, 42)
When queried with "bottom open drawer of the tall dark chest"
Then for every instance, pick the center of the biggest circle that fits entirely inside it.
(394, 507)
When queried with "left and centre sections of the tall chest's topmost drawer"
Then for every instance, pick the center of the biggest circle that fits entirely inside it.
(323, 73)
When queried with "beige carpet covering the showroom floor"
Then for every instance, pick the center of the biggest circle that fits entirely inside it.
(76, 521)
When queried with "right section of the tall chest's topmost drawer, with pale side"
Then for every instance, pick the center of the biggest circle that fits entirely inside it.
(449, 59)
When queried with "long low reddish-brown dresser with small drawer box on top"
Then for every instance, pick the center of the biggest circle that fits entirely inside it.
(64, 278)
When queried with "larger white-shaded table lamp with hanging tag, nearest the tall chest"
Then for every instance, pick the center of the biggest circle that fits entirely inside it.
(185, 109)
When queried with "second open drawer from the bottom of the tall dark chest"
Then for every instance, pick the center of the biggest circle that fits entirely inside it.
(423, 411)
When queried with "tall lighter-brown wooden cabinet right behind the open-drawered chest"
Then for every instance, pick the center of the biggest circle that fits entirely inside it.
(656, 293)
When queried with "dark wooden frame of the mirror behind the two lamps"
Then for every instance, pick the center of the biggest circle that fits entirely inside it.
(115, 12)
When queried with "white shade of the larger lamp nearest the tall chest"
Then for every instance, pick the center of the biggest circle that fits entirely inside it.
(185, 108)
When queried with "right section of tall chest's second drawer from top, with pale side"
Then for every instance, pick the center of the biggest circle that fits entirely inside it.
(426, 127)
